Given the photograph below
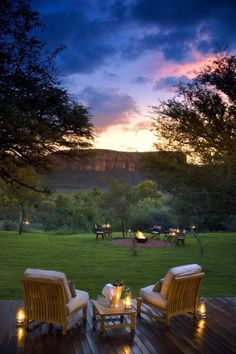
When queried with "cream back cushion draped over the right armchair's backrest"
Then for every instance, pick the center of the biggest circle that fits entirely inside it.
(178, 271)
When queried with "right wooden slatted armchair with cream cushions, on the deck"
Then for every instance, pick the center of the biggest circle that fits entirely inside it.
(173, 295)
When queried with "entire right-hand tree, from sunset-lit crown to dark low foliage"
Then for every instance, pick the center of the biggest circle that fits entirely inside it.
(201, 122)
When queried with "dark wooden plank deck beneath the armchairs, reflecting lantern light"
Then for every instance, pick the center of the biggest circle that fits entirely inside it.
(216, 334)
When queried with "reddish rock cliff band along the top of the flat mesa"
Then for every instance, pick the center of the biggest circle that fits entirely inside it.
(104, 160)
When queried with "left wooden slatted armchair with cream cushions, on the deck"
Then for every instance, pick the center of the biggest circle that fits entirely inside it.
(47, 298)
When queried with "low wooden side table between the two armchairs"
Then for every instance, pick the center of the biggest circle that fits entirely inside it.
(104, 313)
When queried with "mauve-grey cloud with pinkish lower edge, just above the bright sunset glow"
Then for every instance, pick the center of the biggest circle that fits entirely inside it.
(109, 107)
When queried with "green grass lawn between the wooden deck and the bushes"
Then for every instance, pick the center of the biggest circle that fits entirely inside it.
(92, 264)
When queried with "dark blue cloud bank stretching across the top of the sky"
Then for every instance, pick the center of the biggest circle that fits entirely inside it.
(97, 33)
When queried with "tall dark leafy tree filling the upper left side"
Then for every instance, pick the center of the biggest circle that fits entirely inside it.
(37, 116)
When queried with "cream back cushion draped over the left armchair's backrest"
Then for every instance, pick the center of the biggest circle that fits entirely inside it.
(50, 275)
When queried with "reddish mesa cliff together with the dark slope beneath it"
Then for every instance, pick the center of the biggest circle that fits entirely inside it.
(89, 168)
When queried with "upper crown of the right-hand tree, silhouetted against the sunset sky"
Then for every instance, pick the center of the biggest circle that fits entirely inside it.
(201, 120)
